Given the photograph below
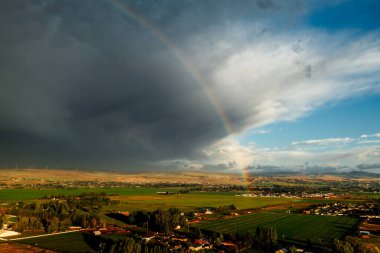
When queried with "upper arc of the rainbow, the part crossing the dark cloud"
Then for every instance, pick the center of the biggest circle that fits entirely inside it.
(124, 8)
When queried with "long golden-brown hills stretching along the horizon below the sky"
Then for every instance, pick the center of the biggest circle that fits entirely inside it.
(34, 177)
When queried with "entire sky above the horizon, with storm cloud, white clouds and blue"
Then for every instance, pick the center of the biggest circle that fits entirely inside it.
(213, 85)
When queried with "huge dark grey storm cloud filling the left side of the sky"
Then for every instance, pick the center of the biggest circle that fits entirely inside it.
(83, 84)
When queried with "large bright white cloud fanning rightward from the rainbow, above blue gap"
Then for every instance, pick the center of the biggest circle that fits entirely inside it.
(275, 77)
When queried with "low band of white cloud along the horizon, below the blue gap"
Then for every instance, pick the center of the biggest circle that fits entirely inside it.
(230, 155)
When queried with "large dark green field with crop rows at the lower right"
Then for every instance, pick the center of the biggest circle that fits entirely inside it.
(294, 227)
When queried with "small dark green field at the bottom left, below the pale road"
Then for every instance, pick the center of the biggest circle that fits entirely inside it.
(69, 242)
